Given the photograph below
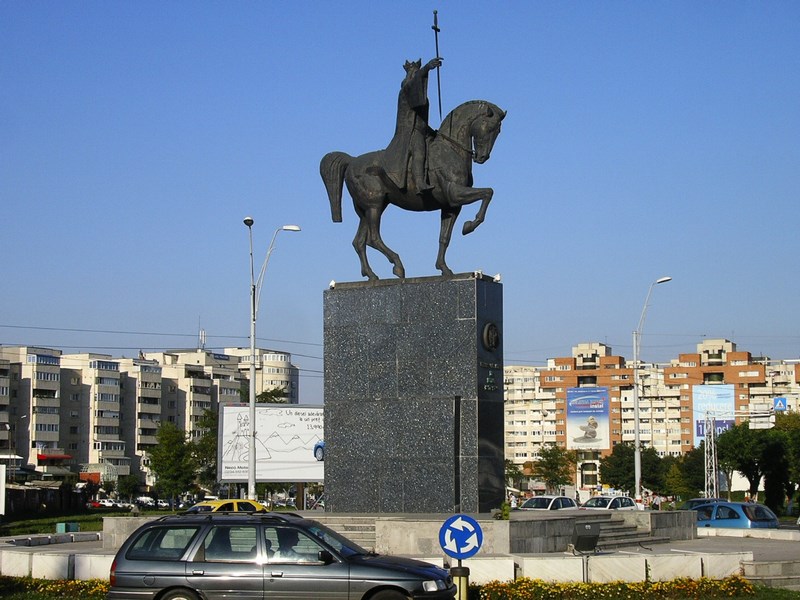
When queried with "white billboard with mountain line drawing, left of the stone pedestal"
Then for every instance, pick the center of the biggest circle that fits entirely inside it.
(289, 443)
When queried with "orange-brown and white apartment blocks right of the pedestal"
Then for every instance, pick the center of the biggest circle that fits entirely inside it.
(539, 401)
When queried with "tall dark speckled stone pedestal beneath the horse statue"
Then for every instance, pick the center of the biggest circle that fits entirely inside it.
(414, 395)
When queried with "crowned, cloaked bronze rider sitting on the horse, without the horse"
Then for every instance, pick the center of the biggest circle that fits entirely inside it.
(411, 130)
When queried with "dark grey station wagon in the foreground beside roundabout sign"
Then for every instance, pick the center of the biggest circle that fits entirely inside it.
(192, 556)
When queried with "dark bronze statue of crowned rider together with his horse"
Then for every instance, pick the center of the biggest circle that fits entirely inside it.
(420, 170)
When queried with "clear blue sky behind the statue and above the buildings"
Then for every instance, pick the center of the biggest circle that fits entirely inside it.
(642, 139)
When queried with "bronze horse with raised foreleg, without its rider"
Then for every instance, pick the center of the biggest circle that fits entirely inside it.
(471, 130)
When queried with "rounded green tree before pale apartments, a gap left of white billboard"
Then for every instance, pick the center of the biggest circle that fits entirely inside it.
(171, 461)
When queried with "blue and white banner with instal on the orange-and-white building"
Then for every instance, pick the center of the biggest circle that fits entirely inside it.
(588, 419)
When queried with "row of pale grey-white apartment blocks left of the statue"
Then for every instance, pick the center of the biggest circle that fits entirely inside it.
(66, 414)
